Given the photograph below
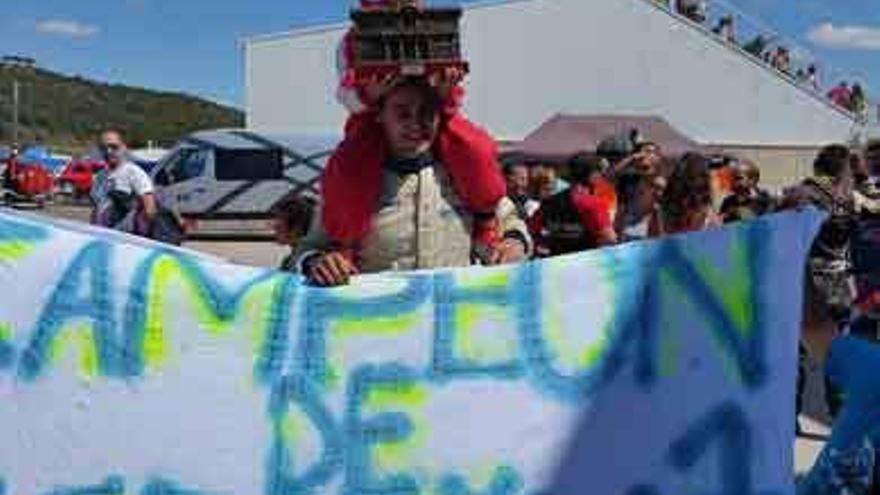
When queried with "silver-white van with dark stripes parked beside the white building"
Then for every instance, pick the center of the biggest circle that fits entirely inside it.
(239, 174)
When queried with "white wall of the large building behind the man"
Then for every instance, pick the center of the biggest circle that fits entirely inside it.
(535, 58)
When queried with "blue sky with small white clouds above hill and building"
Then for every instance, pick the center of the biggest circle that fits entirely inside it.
(194, 46)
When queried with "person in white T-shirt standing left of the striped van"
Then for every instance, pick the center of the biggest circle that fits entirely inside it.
(123, 188)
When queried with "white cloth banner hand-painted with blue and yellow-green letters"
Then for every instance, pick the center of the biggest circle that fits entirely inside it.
(656, 368)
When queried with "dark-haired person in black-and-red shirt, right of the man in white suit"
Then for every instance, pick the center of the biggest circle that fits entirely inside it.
(575, 219)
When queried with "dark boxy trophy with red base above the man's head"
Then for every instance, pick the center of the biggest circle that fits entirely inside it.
(403, 38)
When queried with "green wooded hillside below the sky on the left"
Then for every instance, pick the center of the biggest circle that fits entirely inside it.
(66, 112)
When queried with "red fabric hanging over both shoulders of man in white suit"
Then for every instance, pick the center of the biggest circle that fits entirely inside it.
(351, 182)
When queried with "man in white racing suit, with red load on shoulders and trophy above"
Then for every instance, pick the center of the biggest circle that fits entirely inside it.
(414, 184)
